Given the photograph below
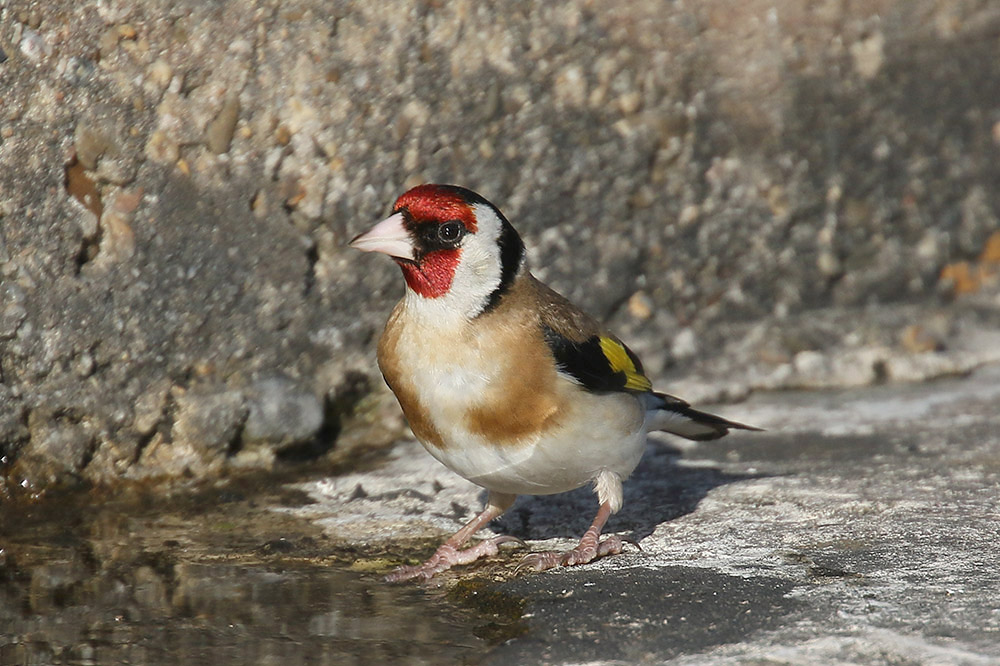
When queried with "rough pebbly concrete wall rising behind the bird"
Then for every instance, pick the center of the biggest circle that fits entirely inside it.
(178, 179)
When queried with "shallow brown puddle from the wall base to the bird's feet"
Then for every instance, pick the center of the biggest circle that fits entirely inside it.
(214, 579)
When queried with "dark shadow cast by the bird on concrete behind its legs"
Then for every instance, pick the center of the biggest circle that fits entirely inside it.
(658, 490)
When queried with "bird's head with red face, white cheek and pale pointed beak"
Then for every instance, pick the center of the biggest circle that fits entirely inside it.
(453, 246)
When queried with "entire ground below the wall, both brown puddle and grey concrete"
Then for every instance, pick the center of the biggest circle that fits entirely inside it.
(861, 528)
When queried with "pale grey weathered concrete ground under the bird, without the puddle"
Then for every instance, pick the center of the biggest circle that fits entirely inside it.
(860, 528)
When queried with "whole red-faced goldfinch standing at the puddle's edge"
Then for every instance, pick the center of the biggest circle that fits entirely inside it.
(505, 381)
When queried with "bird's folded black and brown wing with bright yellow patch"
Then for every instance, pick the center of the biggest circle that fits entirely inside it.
(584, 351)
